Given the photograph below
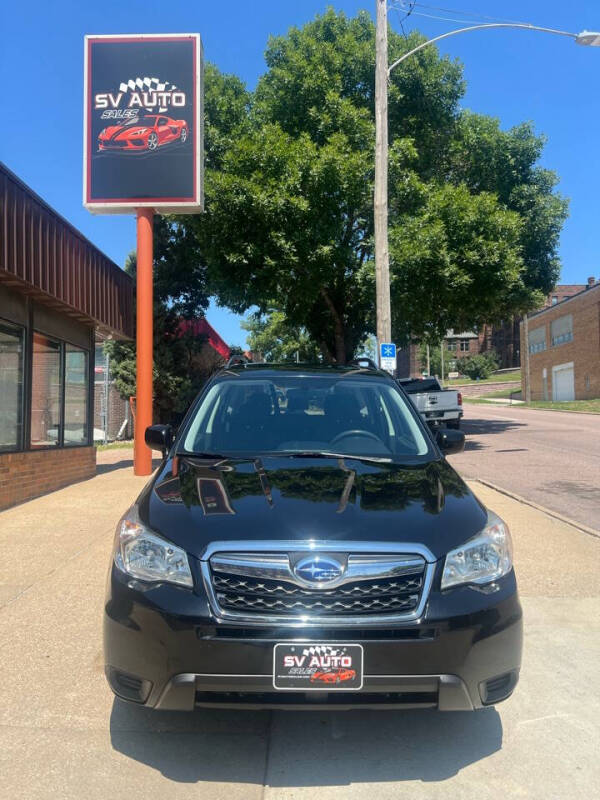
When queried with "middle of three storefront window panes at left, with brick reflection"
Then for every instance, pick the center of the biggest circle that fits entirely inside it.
(46, 392)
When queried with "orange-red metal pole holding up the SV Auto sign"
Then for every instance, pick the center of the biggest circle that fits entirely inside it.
(142, 455)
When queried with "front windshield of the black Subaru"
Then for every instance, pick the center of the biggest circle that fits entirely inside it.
(289, 414)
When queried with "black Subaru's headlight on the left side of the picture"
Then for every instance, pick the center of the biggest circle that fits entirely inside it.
(146, 556)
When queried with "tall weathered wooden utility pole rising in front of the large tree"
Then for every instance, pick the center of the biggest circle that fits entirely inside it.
(382, 263)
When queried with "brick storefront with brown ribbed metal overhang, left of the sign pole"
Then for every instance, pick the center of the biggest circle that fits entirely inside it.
(56, 291)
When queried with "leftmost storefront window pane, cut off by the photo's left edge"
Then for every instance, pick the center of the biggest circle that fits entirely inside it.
(11, 386)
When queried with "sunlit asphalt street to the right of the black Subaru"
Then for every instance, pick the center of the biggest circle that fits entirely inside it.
(549, 457)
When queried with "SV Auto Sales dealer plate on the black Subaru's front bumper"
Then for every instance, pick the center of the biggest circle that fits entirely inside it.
(317, 667)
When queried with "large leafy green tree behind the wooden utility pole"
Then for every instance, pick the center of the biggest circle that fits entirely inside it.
(474, 222)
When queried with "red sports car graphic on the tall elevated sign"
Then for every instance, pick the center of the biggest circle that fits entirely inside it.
(145, 133)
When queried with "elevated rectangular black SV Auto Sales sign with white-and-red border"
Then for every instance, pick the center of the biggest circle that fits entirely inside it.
(143, 123)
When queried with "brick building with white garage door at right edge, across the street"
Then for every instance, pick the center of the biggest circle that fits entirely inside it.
(564, 348)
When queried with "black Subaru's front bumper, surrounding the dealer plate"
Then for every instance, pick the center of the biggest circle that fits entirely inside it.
(165, 649)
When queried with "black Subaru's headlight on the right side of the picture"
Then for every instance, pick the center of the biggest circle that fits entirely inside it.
(482, 559)
